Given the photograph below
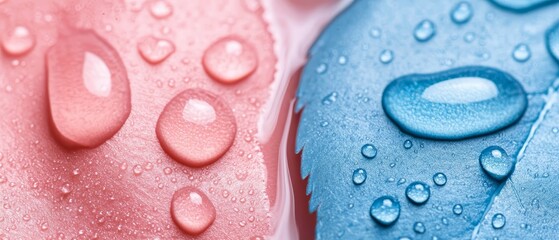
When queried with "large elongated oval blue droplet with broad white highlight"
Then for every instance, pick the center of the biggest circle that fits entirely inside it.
(455, 104)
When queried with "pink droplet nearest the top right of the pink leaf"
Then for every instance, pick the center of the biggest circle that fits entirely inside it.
(230, 60)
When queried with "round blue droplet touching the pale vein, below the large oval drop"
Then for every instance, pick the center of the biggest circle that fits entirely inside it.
(496, 162)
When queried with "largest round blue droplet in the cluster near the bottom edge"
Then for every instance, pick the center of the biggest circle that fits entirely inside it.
(385, 210)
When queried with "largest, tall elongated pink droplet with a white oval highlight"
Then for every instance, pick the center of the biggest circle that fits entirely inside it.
(88, 90)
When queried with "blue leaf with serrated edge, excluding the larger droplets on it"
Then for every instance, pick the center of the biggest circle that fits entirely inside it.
(340, 99)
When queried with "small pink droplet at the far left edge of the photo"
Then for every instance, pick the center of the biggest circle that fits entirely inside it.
(18, 41)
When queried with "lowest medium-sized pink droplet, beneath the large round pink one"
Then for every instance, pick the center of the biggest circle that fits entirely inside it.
(192, 210)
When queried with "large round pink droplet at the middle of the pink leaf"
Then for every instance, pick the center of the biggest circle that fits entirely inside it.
(196, 128)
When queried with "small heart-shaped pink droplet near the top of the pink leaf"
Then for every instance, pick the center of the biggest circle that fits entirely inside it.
(155, 50)
